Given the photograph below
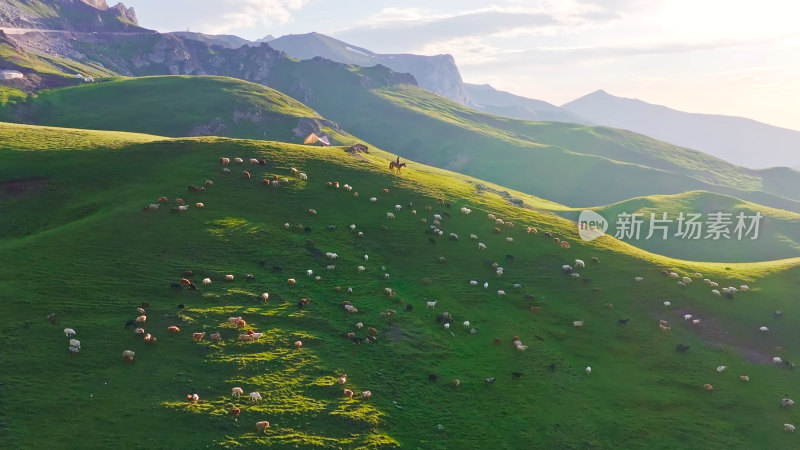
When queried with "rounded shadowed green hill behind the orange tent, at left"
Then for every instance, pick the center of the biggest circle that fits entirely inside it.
(170, 106)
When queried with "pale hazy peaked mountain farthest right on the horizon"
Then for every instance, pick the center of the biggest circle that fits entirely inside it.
(741, 141)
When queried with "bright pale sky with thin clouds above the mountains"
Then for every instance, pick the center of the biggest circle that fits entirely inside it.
(731, 57)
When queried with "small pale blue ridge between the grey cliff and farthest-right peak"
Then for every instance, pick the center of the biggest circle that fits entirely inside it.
(484, 97)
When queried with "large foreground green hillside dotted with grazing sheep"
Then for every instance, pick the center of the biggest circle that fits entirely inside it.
(75, 242)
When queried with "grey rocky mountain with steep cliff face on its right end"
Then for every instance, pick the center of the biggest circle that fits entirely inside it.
(438, 73)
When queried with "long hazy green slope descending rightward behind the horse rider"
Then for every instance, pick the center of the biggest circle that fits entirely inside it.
(531, 157)
